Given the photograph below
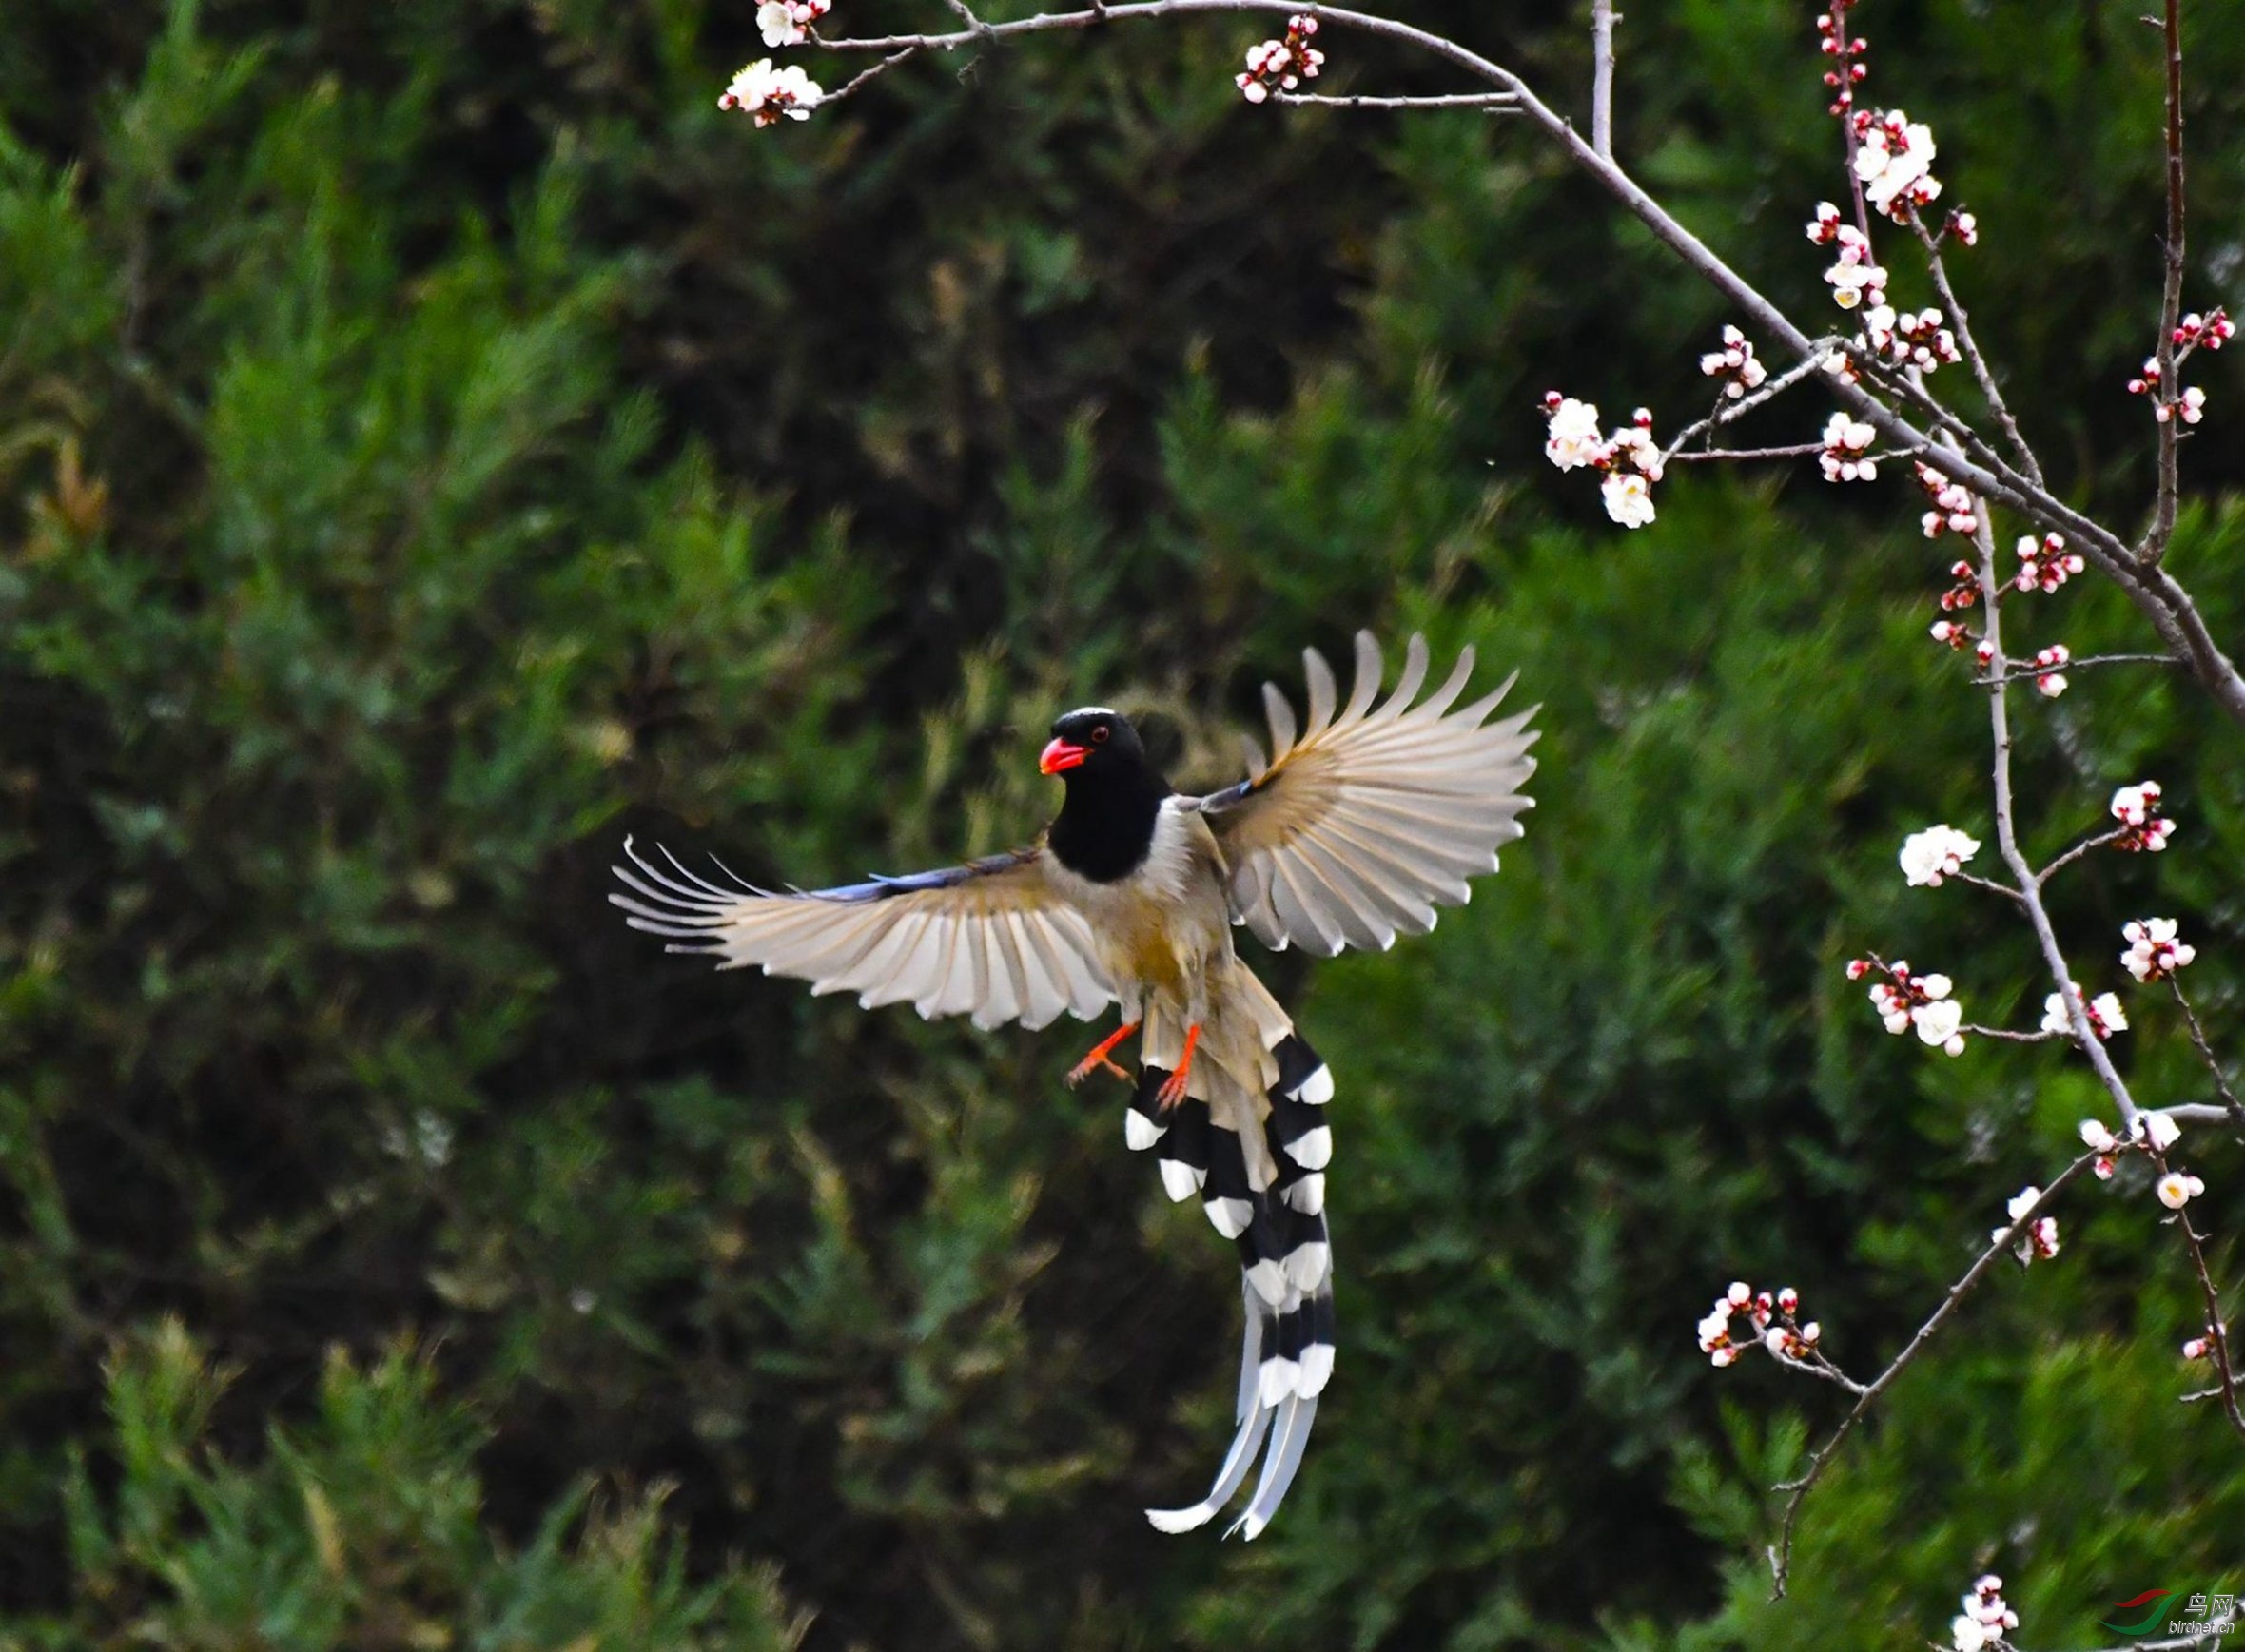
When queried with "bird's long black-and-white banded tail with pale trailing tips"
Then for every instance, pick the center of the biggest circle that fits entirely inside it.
(1267, 1195)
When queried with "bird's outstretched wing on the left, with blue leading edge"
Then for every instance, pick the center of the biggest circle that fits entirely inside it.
(991, 939)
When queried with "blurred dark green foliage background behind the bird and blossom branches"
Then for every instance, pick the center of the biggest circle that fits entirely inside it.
(437, 443)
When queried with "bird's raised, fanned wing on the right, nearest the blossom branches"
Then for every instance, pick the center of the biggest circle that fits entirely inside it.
(1359, 827)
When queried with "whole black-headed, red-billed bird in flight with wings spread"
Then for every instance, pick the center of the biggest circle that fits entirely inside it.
(1355, 829)
